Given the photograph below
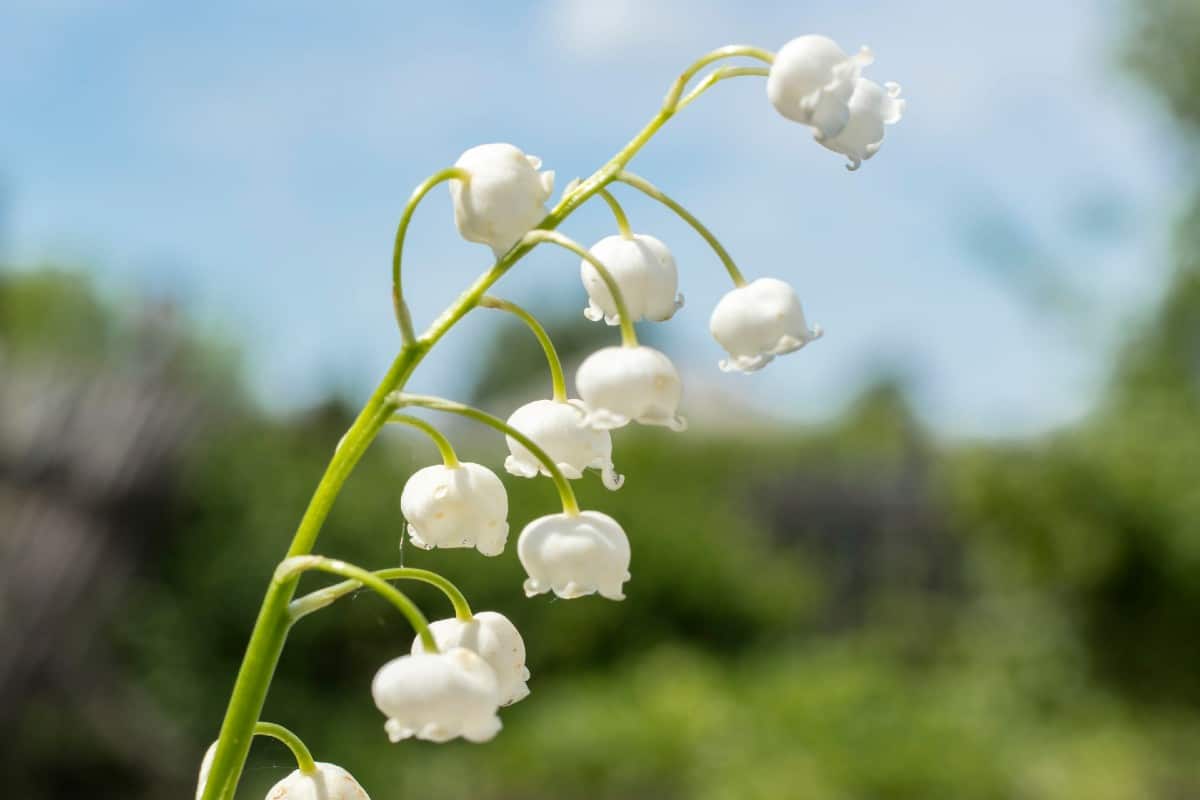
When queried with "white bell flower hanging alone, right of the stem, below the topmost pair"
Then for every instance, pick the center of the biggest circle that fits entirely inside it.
(758, 322)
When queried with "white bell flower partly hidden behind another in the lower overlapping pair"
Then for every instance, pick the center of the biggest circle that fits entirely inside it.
(493, 637)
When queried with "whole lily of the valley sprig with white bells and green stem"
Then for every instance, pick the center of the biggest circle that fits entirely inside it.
(463, 671)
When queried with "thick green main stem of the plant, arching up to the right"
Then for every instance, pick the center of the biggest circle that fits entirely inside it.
(271, 630)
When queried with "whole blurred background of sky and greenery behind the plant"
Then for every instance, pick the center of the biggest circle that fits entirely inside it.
(951, 551)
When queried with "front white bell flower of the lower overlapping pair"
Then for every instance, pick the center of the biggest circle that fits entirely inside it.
(439, 696)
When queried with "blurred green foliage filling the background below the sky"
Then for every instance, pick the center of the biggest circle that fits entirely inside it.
(854, 612)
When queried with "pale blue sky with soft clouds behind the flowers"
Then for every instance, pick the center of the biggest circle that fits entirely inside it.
(254, 163)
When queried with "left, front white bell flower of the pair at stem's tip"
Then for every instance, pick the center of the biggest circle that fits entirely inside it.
(812, 81)
